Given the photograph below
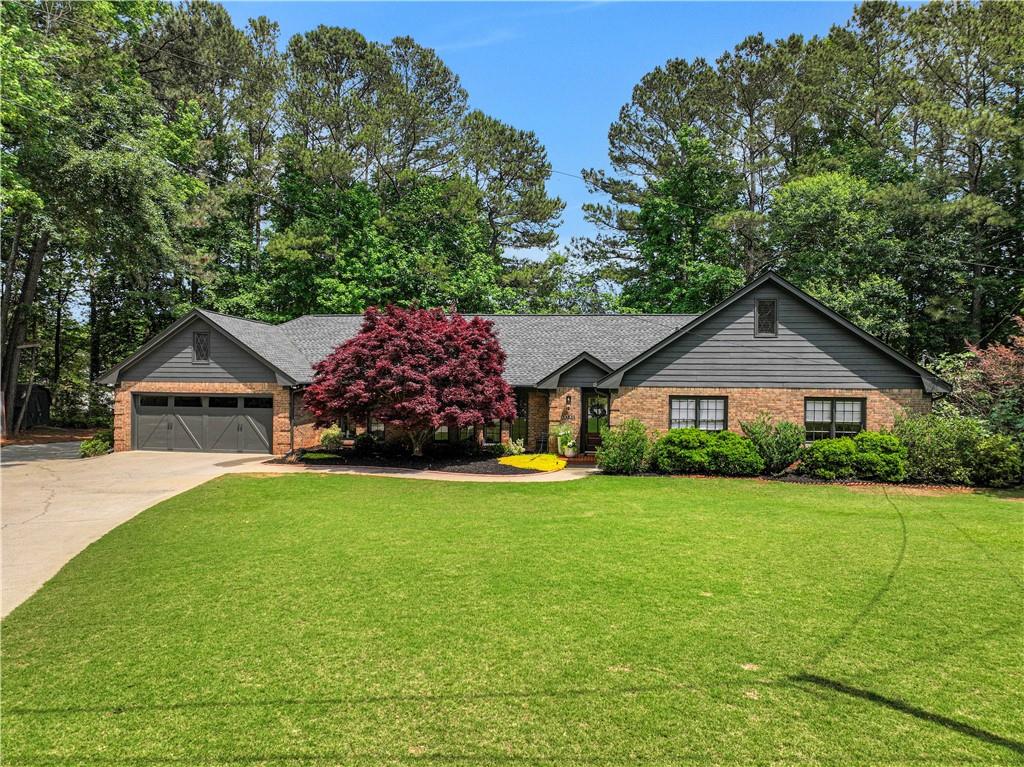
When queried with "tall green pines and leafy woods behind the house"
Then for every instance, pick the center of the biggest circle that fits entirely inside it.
(157, 158)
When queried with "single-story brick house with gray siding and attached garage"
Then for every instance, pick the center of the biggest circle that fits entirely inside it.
(212, 382)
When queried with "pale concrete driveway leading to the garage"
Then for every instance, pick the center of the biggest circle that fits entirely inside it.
(54, 507)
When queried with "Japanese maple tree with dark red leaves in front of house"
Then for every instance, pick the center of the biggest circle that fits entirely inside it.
(417, 370)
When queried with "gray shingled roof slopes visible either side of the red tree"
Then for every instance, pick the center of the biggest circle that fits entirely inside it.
(535, 345)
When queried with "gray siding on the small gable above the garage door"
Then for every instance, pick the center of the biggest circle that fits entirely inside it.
(173, 361)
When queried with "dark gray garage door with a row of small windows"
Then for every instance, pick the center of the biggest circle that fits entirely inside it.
(216, 423)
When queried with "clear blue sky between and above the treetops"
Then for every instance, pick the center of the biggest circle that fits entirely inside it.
(562, 70)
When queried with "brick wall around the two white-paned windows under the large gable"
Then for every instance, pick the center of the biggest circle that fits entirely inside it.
(651, 404)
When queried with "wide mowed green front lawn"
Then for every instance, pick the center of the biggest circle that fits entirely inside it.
(316, 620)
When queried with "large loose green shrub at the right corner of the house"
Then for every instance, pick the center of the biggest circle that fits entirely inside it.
(941, 448)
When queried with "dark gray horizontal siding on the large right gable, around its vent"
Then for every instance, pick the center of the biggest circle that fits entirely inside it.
(810, 352)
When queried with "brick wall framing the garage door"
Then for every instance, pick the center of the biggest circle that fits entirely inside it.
(281, 439)
